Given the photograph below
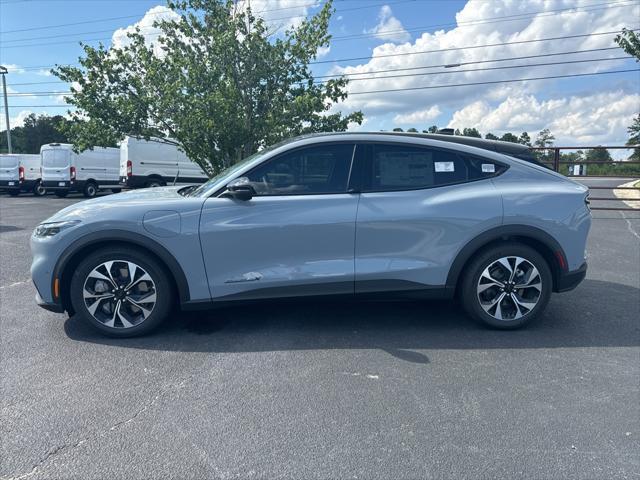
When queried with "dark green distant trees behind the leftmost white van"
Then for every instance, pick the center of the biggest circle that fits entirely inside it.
(36, 131)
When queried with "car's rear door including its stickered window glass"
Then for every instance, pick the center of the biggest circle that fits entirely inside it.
(419, 206)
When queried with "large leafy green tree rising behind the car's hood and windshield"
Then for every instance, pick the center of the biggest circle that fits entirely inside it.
(216, 82)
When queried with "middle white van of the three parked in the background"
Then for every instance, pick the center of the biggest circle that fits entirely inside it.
(65, 171)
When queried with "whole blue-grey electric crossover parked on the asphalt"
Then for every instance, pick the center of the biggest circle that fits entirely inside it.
(334, 214)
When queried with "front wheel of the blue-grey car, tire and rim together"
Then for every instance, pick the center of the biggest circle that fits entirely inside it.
(121, 292)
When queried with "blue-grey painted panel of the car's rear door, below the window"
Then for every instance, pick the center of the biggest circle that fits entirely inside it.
(409, 239)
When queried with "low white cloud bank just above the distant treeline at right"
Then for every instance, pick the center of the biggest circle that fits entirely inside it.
(593, 119)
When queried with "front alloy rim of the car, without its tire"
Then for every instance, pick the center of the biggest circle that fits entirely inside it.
(119, 294)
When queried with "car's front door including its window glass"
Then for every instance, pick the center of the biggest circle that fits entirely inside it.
(295, 237)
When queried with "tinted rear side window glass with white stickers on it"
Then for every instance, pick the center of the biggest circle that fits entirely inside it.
(399, 167)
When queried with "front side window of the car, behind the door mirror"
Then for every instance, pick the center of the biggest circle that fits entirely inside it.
(306, 171)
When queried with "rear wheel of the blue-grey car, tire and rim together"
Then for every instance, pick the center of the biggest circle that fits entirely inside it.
(507, 286)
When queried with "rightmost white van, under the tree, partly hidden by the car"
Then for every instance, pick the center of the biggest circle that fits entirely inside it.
(154, 164)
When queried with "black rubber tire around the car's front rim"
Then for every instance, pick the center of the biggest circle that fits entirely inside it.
(163, 290)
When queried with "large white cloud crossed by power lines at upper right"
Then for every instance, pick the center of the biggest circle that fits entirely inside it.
(439, 44)
